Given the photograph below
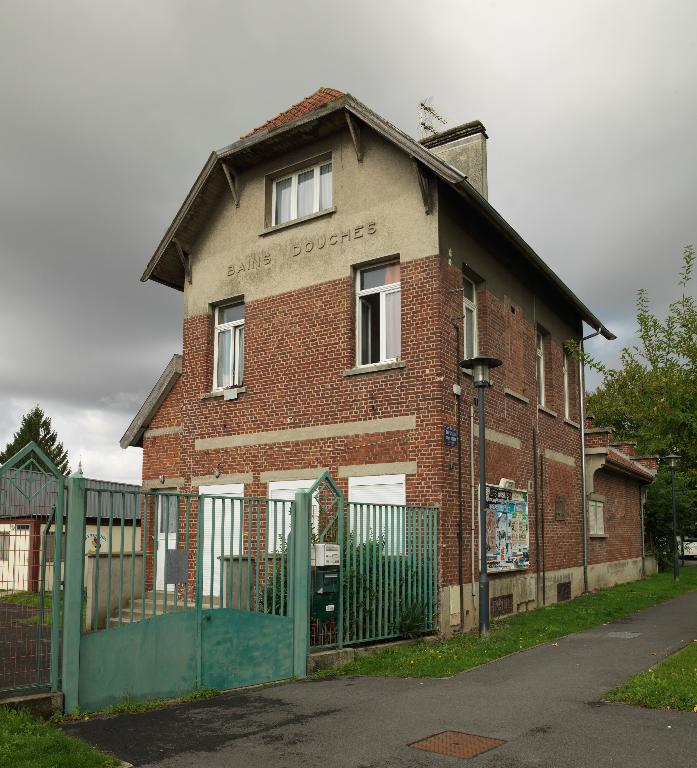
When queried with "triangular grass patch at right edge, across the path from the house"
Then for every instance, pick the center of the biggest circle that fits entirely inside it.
(672, 684)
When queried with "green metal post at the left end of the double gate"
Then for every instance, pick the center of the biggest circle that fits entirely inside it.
(72, 597)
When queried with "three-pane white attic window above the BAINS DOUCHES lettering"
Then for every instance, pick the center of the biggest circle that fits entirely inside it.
(302, 193)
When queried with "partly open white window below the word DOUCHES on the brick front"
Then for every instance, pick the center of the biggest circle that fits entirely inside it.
(379, 321)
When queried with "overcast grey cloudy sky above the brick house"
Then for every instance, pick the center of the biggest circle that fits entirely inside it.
(110, 109)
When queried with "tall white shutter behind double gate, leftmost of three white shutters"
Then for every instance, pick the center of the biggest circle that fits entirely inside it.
(222, 521)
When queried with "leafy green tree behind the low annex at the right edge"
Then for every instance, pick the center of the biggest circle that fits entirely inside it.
(652, 398)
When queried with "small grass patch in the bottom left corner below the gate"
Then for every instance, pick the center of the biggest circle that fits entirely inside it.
(29, 743)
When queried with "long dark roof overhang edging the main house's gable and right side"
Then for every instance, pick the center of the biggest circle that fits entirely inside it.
(166, 264)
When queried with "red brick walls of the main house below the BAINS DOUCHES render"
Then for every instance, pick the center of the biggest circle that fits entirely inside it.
(298, 346)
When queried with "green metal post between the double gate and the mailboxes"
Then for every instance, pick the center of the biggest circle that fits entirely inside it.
(300, 581)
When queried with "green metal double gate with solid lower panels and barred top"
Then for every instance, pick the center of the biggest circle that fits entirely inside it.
(183, 592)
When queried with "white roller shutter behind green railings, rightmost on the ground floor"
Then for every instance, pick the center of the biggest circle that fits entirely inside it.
(375, 504)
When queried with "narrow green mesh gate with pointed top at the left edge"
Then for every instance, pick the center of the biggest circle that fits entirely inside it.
(31, 535)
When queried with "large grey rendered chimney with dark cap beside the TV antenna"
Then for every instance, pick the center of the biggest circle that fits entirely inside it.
(464, 147)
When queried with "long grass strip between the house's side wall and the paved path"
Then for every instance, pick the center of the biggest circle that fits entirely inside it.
(447, 657)
